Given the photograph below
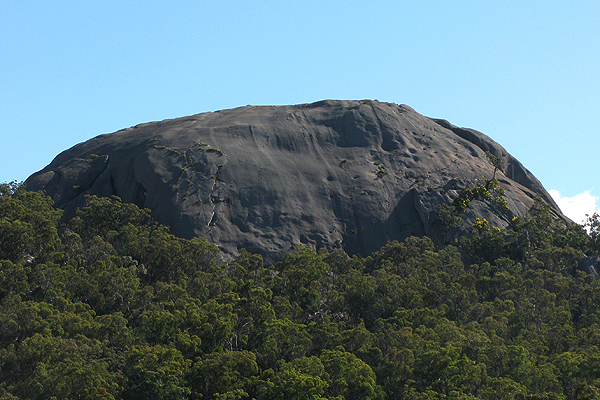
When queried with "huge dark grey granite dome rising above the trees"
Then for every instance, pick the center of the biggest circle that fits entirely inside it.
(268, 179)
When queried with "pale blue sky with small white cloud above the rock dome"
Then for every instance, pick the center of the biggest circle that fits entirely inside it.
(526, 73)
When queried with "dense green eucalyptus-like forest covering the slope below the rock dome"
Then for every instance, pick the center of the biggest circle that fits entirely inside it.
(110, 305)
